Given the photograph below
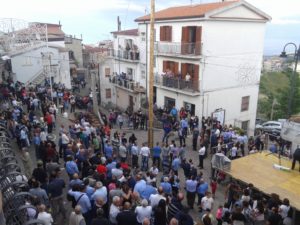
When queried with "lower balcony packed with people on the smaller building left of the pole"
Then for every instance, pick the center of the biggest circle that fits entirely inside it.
(126, 84)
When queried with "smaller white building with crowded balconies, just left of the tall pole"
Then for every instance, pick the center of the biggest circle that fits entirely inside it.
(123, 72)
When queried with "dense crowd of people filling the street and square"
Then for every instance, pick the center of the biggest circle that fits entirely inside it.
(116, 179)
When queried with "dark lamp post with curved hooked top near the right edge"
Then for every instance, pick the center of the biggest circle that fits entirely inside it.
(296, 58)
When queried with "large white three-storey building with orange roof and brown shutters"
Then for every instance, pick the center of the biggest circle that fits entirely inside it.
(220, 45)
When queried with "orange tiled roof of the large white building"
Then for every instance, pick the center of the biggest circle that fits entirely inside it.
(188, 11)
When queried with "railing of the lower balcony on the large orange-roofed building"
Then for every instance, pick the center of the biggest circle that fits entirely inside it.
(177, 83)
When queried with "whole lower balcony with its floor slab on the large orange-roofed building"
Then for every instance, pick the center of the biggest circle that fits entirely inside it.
(177, 84)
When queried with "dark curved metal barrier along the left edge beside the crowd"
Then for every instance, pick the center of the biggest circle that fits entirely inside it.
(17, 202)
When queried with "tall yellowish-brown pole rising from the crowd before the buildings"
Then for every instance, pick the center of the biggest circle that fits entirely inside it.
(151, 76)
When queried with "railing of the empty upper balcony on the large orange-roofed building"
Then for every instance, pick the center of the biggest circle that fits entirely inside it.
(178, 48)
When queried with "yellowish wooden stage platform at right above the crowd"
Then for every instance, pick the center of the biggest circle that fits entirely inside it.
(258, 170)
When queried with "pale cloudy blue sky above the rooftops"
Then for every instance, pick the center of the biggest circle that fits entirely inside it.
(95, 19)
